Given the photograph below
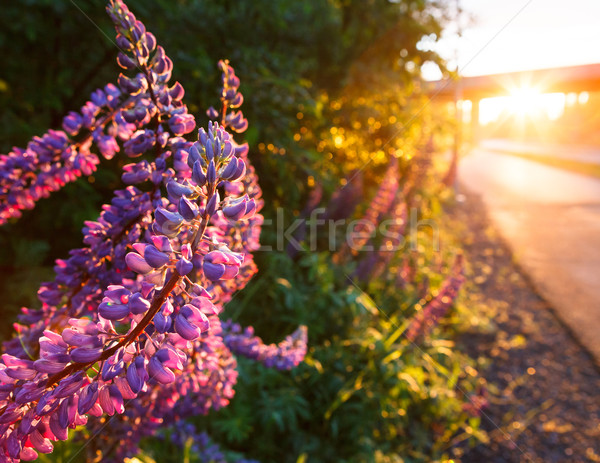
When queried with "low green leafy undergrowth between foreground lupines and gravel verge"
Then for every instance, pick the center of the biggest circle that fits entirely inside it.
(364, 393)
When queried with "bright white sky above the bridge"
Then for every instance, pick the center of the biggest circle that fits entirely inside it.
(546, 33)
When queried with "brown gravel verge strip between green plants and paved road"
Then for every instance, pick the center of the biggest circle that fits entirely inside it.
(543, 388)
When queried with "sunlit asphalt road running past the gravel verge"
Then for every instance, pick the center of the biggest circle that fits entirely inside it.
(551, 220)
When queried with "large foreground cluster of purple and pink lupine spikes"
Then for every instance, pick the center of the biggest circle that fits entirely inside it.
(130, 328)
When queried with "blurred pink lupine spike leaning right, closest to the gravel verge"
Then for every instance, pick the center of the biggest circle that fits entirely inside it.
(429, 316)
